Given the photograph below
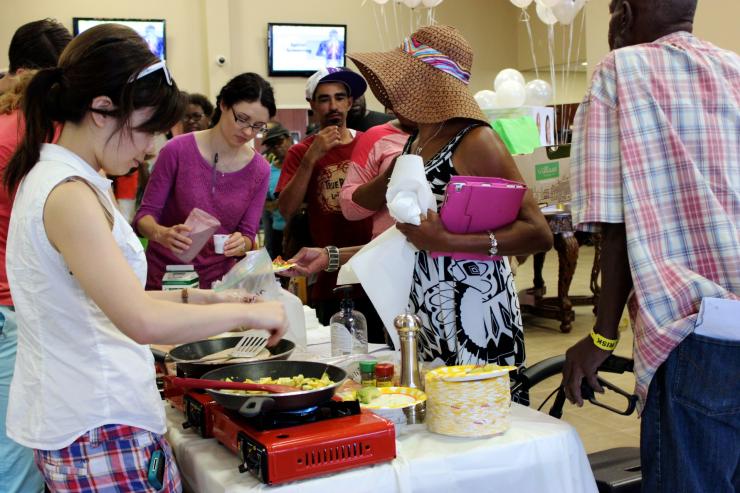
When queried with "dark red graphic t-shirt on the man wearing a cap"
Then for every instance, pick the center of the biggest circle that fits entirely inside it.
(328, 225)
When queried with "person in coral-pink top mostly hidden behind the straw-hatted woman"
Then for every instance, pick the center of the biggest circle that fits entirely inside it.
(363, 192)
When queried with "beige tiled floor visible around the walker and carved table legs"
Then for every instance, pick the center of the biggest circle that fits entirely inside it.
(599, 429)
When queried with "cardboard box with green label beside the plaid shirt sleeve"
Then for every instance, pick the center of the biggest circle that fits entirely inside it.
(547, 173)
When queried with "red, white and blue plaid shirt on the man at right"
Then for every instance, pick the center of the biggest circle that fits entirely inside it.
(657, 147)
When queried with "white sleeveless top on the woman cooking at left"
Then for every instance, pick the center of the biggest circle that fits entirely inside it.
(74, 370)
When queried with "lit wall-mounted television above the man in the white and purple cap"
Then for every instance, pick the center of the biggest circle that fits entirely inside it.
(302, 49)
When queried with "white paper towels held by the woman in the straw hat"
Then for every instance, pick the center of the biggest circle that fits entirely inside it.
(385, 266)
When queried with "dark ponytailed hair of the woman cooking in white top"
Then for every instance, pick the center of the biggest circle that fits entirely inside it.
(102, 61)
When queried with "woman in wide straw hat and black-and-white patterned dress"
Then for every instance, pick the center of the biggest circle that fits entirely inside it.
(469, 310)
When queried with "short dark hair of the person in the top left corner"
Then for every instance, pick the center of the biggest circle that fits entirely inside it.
(37, 45)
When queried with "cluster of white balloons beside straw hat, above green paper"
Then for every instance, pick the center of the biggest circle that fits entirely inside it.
(511, 91)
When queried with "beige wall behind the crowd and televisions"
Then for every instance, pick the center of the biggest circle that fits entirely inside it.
(200, 30)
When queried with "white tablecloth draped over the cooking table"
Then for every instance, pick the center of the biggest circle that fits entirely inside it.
(539, 454)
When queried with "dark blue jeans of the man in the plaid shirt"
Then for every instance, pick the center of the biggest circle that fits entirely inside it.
(690, 431)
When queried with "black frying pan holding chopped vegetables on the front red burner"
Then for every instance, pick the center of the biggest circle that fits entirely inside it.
(252, 405)
